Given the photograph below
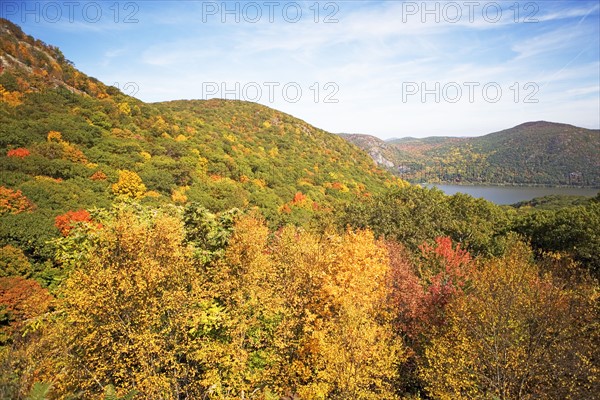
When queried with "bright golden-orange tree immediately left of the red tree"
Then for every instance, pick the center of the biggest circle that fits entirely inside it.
(341, 342)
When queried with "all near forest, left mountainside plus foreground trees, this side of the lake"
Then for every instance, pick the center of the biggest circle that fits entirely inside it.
(225, 250)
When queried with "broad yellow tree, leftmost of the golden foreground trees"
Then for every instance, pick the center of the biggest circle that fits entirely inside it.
(134, 312)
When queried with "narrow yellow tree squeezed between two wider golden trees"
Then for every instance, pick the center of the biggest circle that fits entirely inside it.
(245, 357)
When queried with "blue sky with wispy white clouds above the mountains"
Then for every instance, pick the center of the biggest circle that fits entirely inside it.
(385, 68)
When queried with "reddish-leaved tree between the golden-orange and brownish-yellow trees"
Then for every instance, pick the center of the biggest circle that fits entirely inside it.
(421, 292)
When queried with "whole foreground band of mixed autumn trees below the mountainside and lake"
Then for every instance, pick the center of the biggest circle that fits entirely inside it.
(410, 294)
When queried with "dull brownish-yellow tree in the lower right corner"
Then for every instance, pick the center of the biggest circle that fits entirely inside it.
(516, 334)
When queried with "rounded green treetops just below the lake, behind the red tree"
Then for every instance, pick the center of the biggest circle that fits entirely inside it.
(412, 215)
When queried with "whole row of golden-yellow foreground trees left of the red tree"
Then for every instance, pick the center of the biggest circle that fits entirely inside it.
(297, 314)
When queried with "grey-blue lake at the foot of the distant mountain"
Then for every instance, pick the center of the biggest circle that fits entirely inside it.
(514, 194)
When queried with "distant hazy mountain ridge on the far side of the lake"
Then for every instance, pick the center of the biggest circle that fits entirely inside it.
(540, 152)
